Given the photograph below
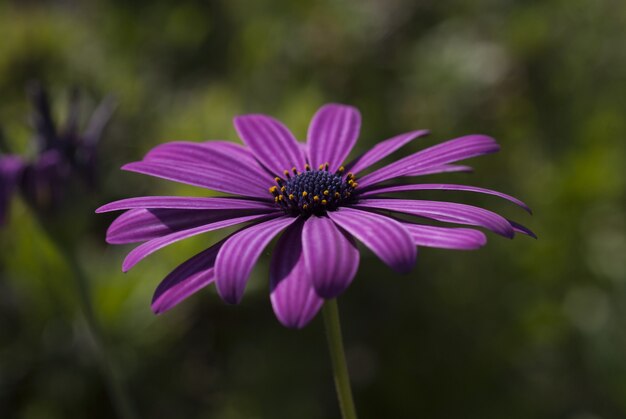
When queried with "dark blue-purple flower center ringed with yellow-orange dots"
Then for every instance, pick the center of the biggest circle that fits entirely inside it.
(313, 191)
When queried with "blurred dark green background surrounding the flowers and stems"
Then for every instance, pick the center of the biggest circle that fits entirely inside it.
(519, 329)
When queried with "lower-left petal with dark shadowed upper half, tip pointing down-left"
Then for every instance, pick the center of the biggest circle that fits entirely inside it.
(188, 278)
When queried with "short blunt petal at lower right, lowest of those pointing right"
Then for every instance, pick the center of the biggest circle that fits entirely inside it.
(446, 238)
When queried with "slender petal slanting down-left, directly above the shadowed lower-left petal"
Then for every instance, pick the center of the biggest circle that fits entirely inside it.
(142, 251)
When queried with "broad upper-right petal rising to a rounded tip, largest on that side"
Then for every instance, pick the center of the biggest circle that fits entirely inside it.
(449, 152)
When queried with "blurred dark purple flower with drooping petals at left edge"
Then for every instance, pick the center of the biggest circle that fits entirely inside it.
(63, 153)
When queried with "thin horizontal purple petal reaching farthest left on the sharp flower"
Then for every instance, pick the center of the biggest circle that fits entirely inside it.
(176, 202)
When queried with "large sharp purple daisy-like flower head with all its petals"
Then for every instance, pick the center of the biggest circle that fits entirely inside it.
(305, 193)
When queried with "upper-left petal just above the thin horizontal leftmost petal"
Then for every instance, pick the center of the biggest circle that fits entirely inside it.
(223, 180)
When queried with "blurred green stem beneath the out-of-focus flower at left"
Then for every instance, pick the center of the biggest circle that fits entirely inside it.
(117, 393)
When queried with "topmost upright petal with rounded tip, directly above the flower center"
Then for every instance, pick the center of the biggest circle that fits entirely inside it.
(333, 132)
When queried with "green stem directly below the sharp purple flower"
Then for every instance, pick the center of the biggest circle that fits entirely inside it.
(338, 357)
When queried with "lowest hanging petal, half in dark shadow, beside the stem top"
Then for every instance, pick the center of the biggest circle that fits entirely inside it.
(293, 297)
